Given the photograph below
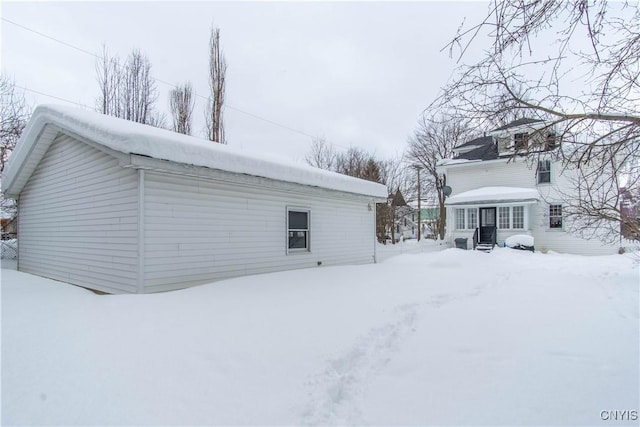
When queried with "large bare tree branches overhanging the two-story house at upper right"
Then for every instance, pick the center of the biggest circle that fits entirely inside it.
(585, 85)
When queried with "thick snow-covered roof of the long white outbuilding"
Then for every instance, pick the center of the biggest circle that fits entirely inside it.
(134, 138)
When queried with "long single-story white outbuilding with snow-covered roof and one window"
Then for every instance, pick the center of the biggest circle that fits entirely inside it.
(121, 207)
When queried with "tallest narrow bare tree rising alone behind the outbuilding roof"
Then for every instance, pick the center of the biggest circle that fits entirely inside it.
(217, 84)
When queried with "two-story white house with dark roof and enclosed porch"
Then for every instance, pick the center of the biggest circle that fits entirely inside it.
(497, 193)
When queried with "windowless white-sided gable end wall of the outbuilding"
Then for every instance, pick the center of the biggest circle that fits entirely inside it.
(78, 219)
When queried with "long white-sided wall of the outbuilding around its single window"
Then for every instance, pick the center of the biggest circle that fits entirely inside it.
(199, 230)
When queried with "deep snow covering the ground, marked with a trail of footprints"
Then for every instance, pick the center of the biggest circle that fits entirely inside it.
(449, 338)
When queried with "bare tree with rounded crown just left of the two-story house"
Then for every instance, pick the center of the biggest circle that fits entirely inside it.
(432, 141)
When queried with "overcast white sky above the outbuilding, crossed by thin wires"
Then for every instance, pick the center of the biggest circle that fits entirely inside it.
(357, 73)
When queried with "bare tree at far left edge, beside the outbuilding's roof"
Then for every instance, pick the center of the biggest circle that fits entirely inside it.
(14, 114)
